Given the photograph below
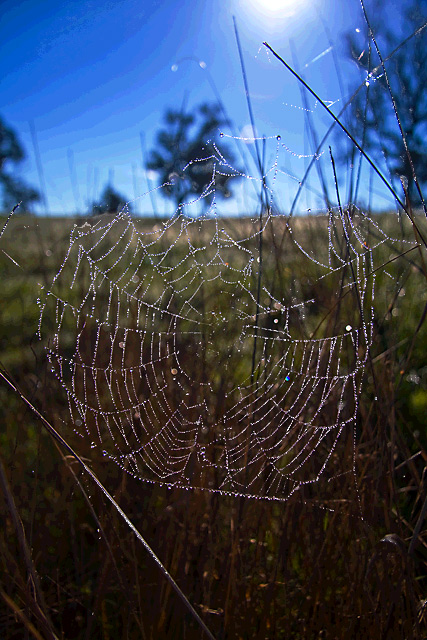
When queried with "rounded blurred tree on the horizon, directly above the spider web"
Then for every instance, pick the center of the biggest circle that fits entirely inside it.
(192, 165)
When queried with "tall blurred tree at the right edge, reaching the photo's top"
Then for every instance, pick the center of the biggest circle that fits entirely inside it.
(372, 114)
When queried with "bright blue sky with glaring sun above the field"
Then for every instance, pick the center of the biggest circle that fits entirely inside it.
(92, 76)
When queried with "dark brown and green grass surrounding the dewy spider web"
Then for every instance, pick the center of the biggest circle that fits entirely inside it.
(336, 561)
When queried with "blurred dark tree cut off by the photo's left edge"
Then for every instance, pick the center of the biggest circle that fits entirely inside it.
(14, 190)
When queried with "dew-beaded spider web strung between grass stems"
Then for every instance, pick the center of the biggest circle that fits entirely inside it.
(214, 352)
